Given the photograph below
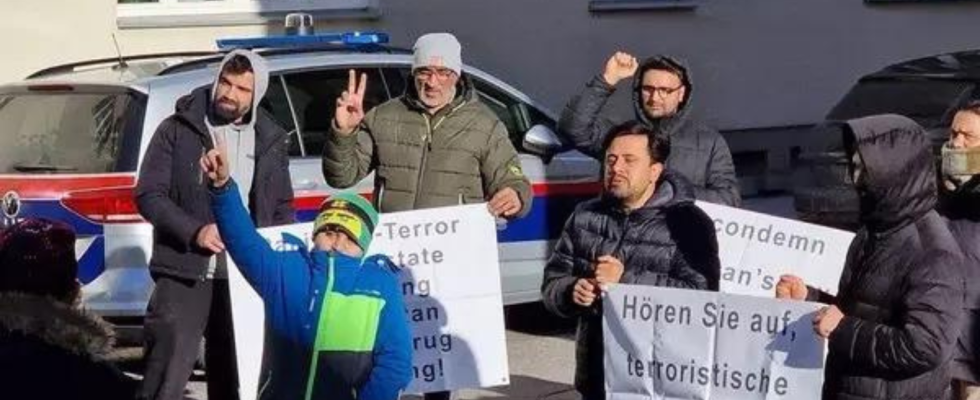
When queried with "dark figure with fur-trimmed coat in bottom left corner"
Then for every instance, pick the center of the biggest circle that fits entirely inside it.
(49, 348)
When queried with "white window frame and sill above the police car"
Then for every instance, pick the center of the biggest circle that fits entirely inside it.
(170, 13)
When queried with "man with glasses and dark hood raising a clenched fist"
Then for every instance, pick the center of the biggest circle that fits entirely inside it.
(662, 91)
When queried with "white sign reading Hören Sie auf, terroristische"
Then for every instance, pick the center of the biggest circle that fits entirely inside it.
(682, 344)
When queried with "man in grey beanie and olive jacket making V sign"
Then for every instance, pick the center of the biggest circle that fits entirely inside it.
(436, 145)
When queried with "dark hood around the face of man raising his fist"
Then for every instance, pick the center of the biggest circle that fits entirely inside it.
(662, 62)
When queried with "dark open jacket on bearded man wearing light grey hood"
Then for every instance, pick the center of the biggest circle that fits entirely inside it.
(172, 190)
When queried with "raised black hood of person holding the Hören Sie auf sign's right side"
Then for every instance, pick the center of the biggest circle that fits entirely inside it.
(900, 172)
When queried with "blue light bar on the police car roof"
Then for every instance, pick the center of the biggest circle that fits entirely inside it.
(294, 41)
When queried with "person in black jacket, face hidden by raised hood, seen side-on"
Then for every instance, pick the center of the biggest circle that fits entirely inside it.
(889, 328)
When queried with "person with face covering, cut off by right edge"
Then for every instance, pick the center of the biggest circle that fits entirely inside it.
(960, 204)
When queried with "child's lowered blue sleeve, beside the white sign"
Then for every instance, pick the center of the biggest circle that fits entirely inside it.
(393, 351)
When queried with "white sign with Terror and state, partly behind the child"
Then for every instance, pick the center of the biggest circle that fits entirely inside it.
(451, 284)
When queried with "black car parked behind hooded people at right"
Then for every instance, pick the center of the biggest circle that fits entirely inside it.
(928, 90)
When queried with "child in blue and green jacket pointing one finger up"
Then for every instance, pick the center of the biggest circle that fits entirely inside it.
(335, 321)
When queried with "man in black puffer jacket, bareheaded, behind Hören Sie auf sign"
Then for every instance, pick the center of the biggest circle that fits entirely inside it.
(644, 230)
